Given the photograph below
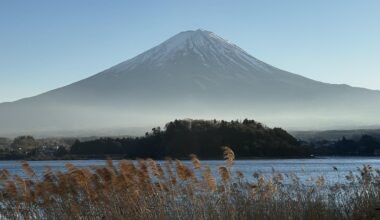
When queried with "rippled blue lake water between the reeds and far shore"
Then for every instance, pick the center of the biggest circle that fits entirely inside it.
(303, 168)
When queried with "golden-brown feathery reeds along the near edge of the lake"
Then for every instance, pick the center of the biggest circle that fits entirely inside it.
(147, 189)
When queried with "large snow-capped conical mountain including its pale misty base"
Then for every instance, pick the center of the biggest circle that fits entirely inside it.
(195, 74)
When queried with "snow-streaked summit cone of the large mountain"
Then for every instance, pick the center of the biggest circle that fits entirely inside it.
(205, 45)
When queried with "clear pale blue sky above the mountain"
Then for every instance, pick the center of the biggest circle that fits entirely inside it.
(49, 44)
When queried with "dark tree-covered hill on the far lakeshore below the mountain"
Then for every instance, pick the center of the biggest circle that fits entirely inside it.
(180, 138)
